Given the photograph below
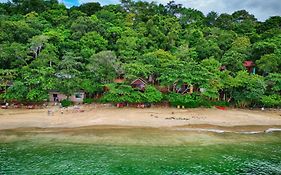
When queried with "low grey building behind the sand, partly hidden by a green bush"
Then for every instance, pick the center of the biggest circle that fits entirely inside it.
(56, 96)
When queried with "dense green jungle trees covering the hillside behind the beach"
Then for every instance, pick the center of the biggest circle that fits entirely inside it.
(46, 46)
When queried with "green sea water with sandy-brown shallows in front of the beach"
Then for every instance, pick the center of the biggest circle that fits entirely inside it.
(141, 151)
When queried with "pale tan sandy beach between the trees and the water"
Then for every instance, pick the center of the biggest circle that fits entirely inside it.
(96, 116)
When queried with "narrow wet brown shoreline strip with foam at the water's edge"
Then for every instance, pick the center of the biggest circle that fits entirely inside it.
(258, 129)
